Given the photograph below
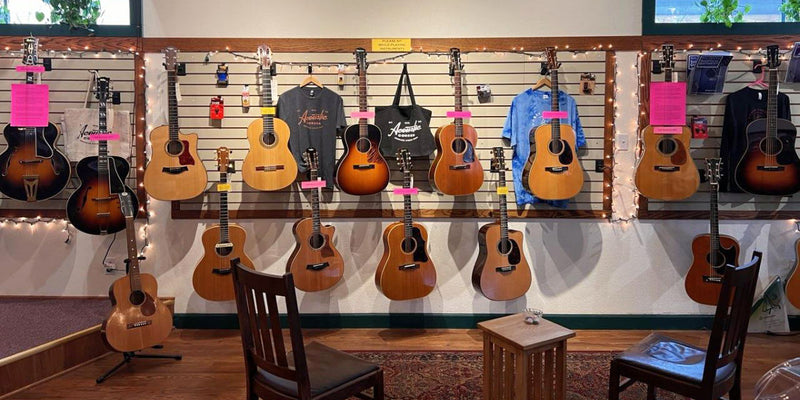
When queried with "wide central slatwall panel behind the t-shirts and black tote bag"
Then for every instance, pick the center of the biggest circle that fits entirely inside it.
(508, 75)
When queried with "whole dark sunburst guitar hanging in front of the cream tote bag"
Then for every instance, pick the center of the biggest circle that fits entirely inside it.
(94, 207)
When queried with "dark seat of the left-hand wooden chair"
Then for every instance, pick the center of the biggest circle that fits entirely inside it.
(327, 369)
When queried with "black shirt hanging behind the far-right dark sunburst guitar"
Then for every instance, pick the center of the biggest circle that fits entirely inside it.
(741, 108)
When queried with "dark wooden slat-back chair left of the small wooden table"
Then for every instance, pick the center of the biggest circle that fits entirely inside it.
(313, 371)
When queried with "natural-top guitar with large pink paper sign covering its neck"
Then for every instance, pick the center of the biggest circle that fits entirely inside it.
(666, 171)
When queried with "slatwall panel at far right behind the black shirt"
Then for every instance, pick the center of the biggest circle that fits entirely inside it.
(733, 205)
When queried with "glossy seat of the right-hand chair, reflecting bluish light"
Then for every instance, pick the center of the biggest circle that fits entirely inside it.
(662, 354)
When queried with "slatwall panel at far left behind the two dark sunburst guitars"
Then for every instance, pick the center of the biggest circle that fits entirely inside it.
(68, 81)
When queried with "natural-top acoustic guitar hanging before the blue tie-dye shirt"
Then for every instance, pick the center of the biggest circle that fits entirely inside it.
(553, 171)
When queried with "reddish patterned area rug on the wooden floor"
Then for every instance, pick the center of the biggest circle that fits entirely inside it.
(457, 375)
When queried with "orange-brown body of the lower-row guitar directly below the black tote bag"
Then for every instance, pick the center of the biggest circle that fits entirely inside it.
(399, 283)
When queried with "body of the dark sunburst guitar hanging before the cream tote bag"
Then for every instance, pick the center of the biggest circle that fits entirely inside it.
(94, 207)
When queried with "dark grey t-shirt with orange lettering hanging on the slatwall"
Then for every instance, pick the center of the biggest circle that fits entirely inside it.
(314, 115)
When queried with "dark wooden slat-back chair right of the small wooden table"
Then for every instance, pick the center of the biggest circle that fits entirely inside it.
(701, 374)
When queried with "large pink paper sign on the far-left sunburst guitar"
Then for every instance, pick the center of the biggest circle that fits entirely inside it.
(30, 105)
